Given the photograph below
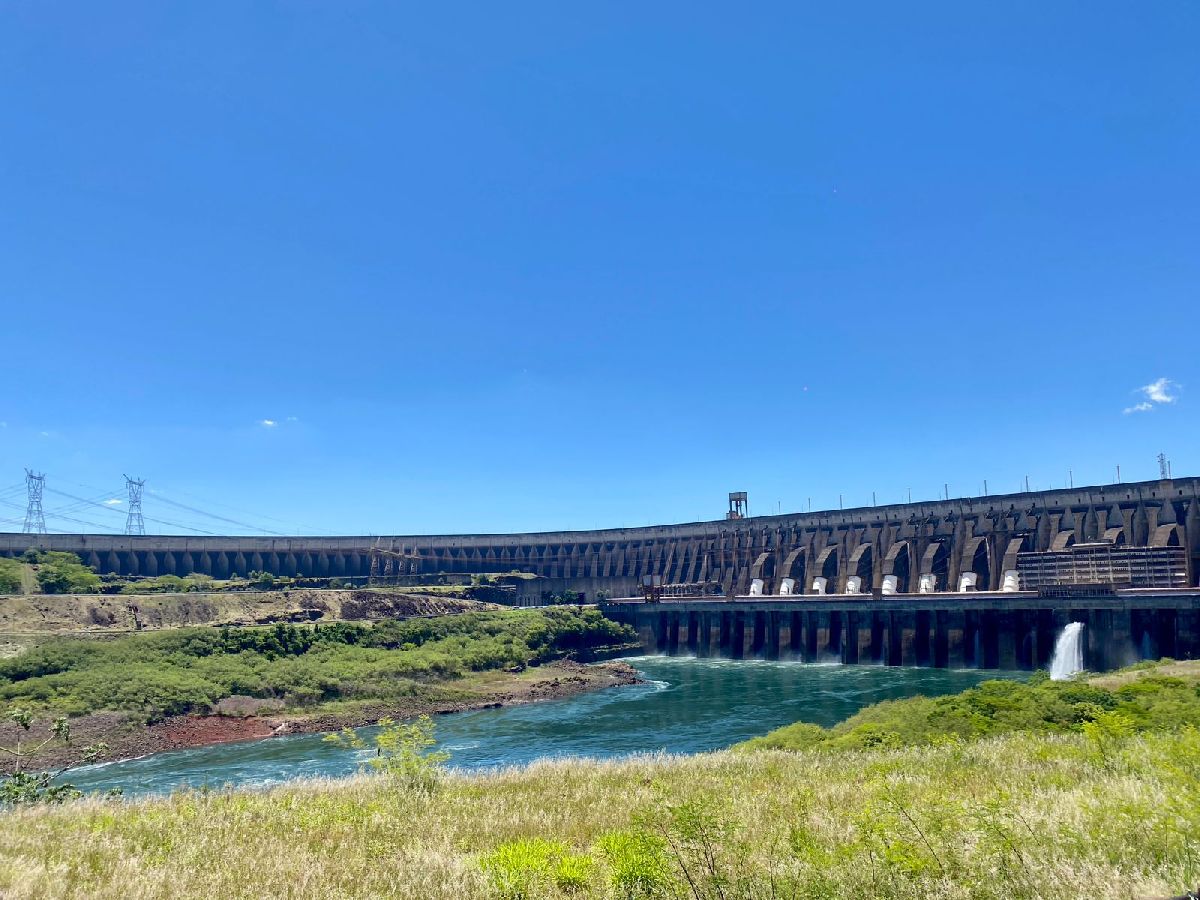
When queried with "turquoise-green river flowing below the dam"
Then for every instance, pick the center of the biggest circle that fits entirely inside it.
(687, 706)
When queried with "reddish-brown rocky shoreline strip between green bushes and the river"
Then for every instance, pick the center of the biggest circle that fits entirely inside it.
(129, 736)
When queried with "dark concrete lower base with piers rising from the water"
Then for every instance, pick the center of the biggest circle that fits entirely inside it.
(1015, 631)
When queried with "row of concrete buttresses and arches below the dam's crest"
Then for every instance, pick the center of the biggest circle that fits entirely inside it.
(901, 547)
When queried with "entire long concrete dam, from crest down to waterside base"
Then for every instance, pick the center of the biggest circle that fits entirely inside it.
(975, 581)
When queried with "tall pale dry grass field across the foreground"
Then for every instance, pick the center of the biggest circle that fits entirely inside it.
(1021, 817)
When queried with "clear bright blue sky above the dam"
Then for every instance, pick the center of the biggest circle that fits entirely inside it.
(400, 268)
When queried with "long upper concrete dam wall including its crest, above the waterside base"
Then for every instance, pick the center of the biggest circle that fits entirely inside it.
(962, 545)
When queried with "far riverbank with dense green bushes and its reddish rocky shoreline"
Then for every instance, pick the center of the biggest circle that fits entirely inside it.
(179, 688)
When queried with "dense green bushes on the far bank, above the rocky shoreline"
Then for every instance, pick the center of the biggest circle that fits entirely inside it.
(190, 670)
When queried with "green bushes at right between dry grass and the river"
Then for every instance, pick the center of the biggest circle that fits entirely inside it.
(1153, 703)
